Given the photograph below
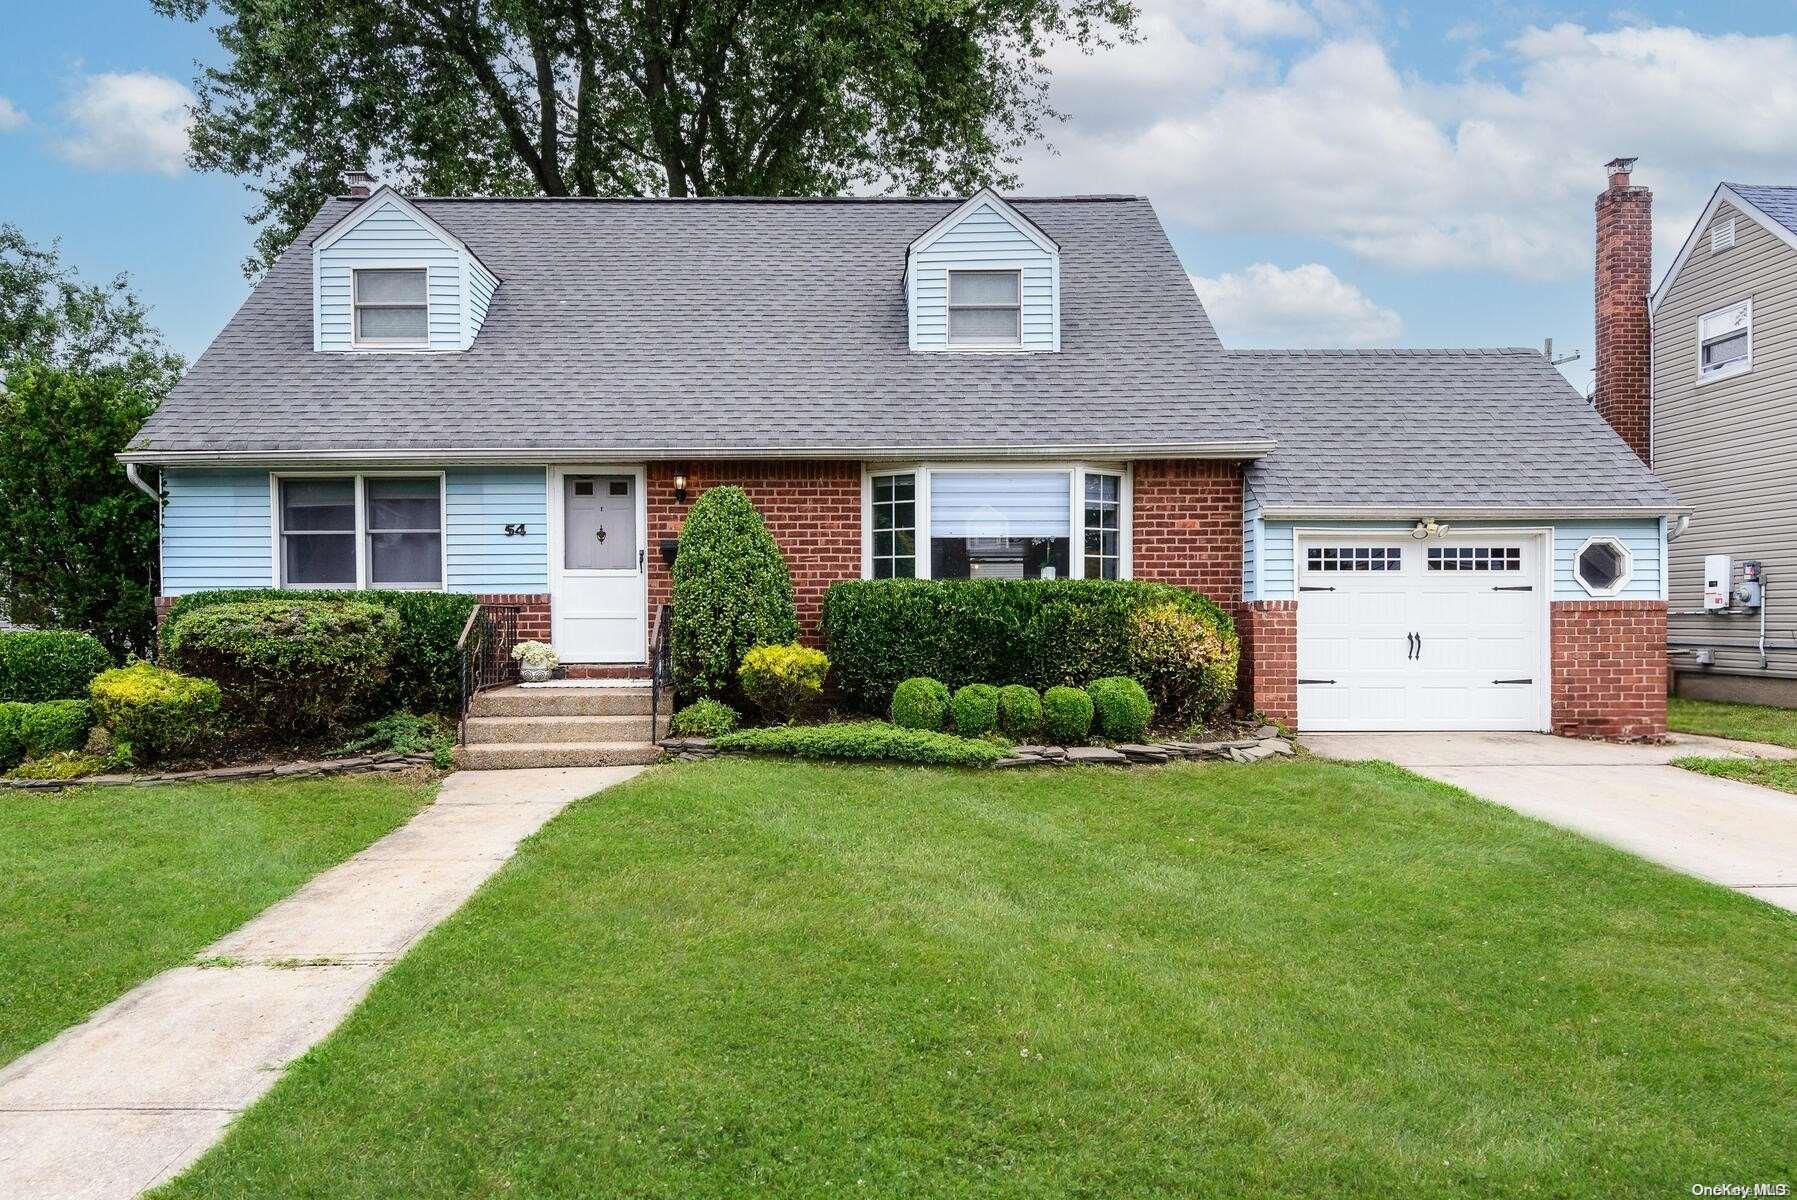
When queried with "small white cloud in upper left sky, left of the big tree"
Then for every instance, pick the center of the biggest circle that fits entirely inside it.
(132, 121)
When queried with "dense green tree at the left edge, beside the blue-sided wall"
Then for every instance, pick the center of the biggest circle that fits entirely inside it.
(80, 373)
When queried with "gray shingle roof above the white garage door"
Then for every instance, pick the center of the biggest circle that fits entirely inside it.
(1435, 430)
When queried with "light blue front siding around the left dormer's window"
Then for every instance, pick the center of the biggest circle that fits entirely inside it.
(389, 236)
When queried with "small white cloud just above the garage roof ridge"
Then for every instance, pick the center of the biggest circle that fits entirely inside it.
(1306, 306)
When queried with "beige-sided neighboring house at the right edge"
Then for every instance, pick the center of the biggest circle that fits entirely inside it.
(1721, 421)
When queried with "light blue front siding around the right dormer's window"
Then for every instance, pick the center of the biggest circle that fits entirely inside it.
(986, 238)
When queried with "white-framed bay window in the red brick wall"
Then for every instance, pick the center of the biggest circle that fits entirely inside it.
(957, 522)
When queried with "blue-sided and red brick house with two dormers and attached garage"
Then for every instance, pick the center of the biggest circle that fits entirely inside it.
(520, 400)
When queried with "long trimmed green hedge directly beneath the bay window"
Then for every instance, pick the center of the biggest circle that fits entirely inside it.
(1036, 633)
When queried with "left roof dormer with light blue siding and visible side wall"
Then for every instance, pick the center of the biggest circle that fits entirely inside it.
(389, 233)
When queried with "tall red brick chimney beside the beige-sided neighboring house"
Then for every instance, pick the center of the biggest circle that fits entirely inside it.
(1625, 276)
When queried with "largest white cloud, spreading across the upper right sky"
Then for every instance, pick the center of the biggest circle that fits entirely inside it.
(1334, 143)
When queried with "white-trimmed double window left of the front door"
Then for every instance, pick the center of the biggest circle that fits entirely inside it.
(362, 533)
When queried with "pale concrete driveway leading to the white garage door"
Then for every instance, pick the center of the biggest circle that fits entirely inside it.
(1735, 834)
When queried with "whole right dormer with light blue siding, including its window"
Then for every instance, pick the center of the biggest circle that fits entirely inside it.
(984, 279)
